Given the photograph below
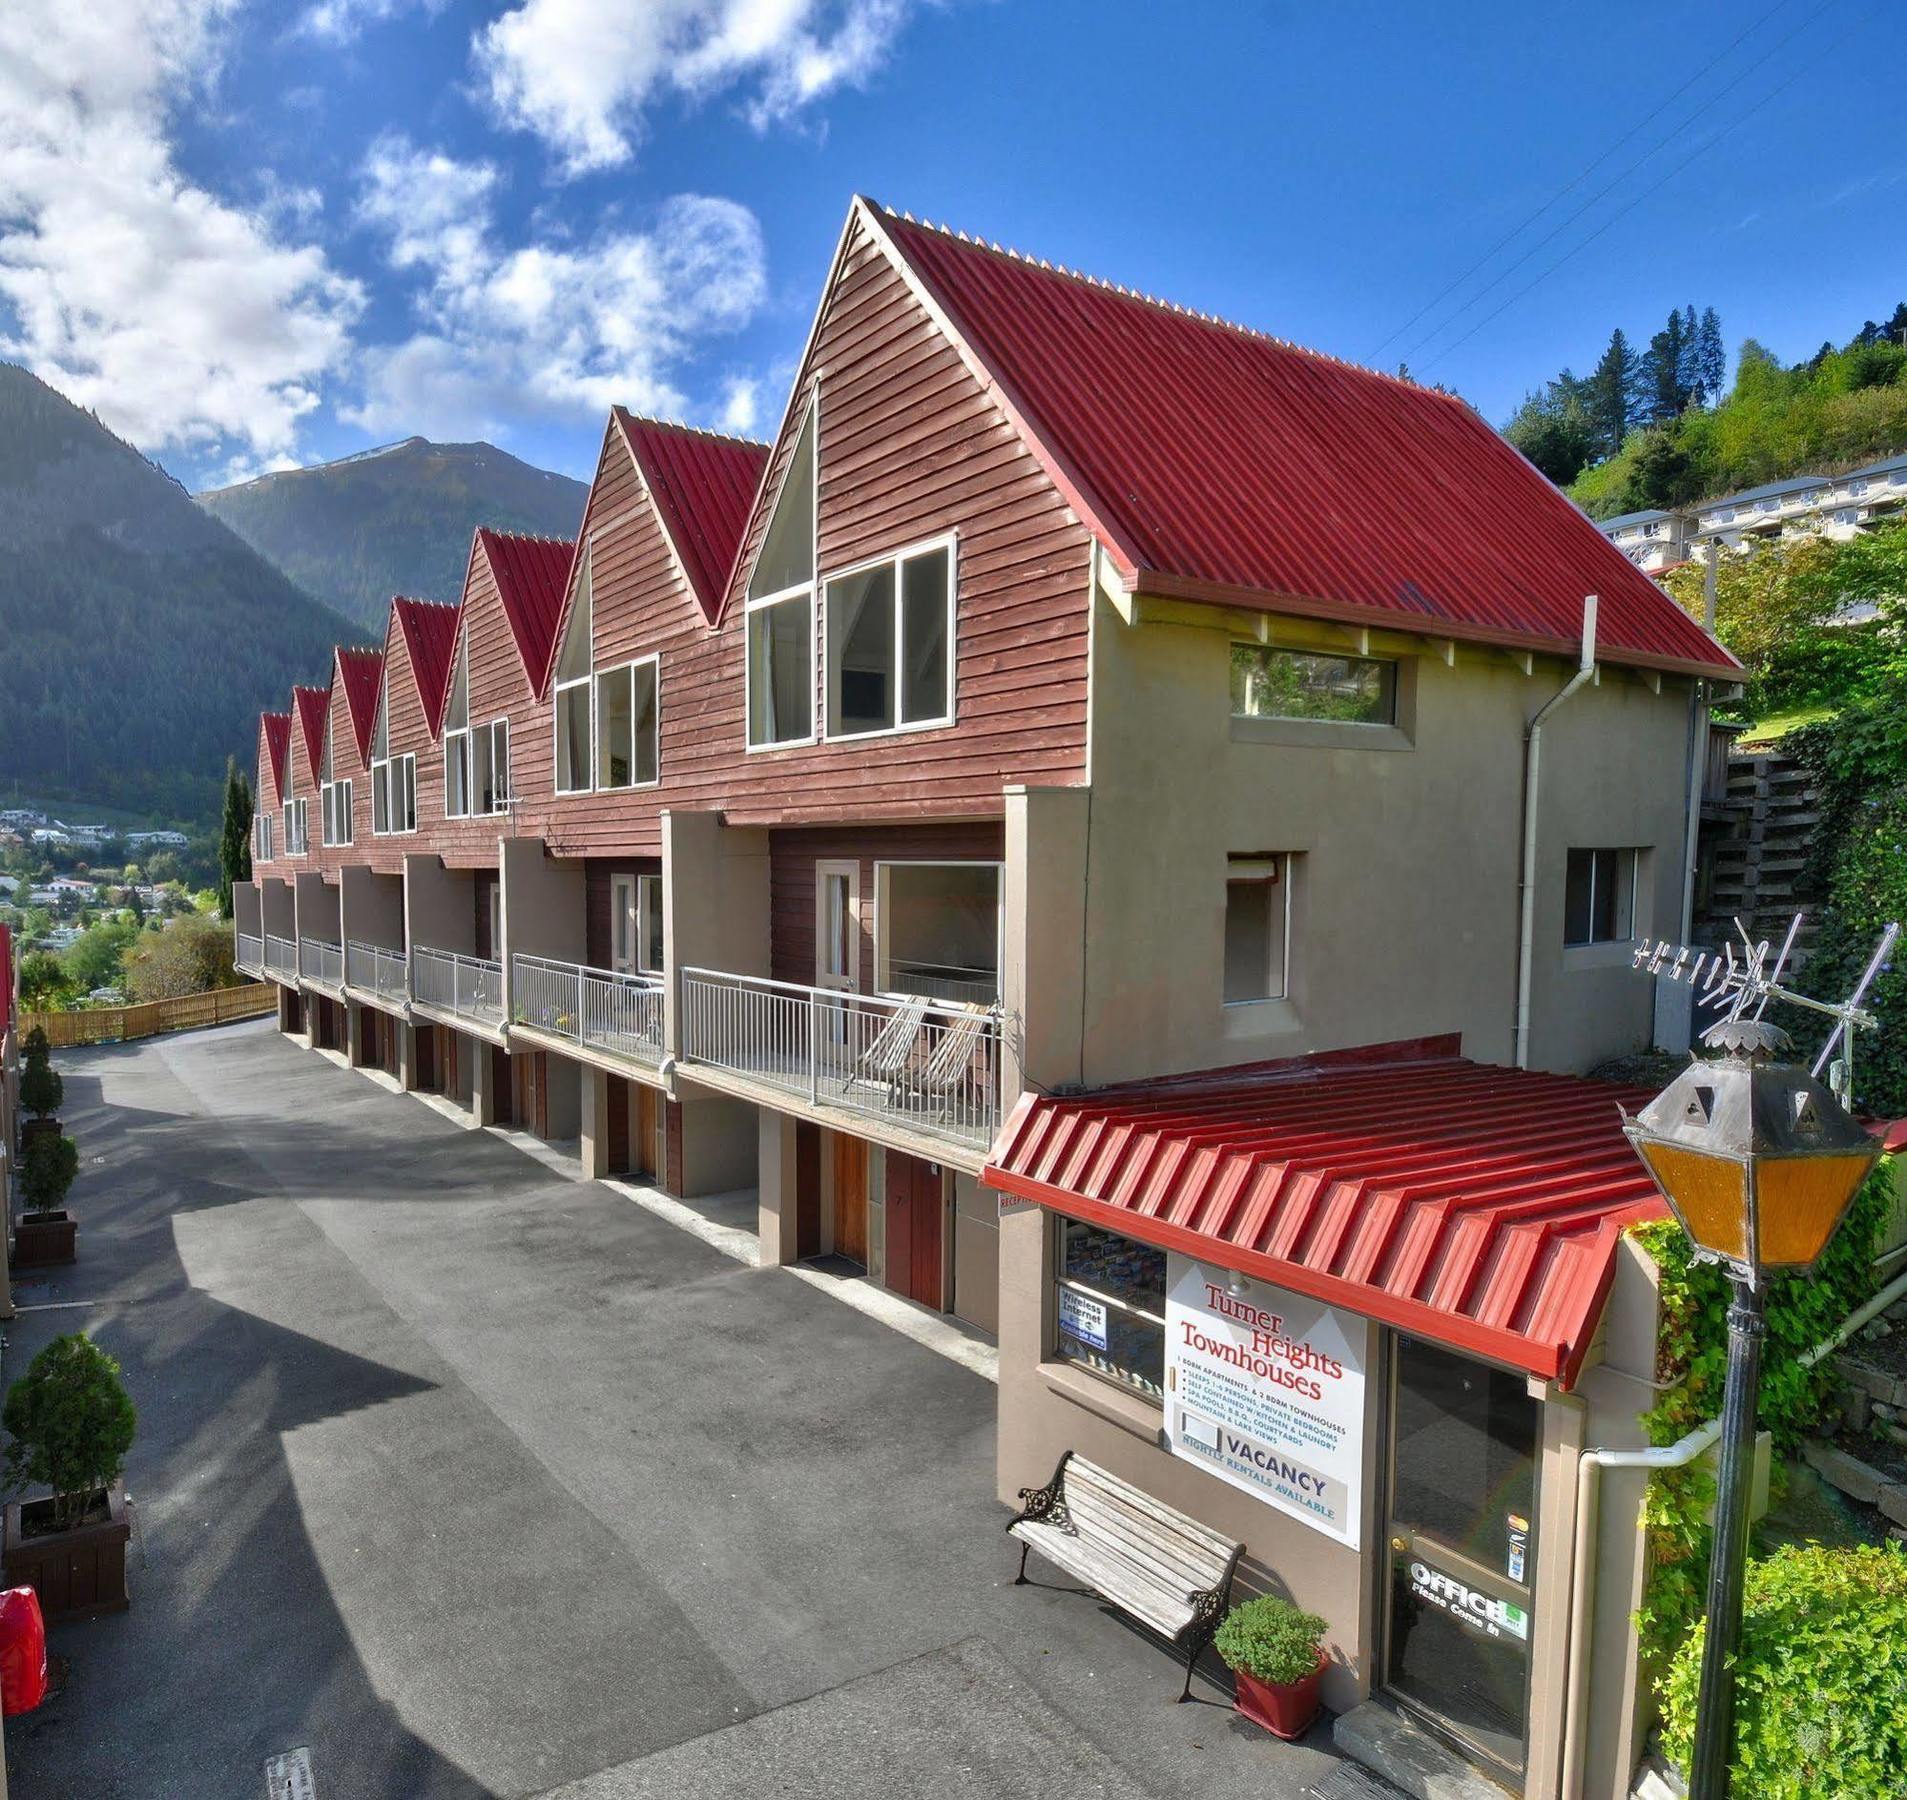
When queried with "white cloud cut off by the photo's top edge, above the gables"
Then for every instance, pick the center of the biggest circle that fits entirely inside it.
(581, 73)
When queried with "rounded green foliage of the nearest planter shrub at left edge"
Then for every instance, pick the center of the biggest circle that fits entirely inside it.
(70, 1425)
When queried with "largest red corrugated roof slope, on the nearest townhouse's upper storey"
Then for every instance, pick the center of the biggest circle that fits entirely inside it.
(1221, 464)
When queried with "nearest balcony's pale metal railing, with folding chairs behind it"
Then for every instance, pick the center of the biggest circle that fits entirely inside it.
(926, 1065)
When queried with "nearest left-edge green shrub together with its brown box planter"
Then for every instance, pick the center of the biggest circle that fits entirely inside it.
(70, 1425)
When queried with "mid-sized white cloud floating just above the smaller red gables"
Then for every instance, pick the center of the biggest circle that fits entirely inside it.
(550, 327)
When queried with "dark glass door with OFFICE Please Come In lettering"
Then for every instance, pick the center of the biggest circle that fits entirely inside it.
(1464, 1490)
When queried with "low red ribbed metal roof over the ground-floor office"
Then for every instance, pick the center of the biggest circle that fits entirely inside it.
(1466, 1204)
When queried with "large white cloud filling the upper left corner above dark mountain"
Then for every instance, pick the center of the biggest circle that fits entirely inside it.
(182, 319)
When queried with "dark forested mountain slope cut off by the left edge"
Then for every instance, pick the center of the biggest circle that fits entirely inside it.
(138, 636)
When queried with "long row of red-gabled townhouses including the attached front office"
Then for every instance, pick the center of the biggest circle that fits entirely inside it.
(1077, 848)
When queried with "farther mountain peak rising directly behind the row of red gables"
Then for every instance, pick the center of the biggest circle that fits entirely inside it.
(394, 522)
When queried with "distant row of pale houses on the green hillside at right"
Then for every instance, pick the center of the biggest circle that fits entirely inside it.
(1834, 506)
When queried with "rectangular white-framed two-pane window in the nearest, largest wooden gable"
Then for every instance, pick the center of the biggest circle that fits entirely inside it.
(890, 644)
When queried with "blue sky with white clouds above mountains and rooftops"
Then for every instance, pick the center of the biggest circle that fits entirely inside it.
(262, 235)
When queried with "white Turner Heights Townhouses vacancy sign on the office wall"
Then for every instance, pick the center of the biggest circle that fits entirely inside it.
(1265, 1389)
